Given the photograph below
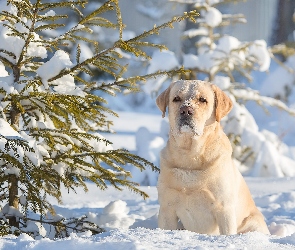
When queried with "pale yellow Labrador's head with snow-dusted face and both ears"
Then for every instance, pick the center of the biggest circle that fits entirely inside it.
(192, 105)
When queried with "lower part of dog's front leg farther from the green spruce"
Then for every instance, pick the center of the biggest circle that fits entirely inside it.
(226, 220)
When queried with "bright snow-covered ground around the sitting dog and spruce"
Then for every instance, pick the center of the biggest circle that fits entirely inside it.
(131, 222)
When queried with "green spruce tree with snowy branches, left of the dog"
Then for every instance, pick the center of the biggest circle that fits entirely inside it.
(50, 116)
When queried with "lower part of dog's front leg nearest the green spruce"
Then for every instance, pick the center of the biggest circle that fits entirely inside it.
(167, 218)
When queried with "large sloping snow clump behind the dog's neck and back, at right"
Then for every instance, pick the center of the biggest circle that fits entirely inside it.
(265, 157)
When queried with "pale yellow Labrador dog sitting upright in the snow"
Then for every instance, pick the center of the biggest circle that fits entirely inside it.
(198, 184)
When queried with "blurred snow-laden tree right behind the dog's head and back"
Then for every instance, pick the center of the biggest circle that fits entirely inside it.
(229, 63)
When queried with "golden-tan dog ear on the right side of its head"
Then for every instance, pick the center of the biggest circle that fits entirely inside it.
(223, 103)
